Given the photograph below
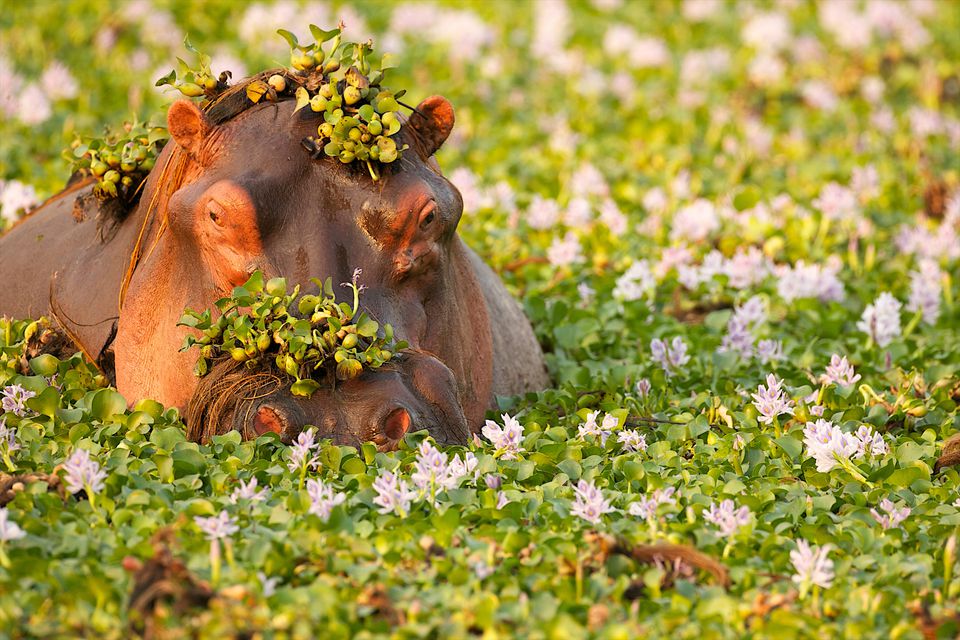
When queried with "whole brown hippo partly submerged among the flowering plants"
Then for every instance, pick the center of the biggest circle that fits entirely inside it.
(235, 192)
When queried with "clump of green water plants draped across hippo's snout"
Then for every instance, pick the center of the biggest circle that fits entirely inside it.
(309, 337)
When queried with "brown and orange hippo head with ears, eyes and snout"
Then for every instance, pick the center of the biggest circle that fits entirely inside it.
(240, 193)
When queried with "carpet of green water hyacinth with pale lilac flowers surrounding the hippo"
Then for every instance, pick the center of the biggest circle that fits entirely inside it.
(765, 188)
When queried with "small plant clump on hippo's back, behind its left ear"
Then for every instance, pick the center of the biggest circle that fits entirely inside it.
(120, 159)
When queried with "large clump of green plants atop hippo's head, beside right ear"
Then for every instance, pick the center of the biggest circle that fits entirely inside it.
(338, 80)
